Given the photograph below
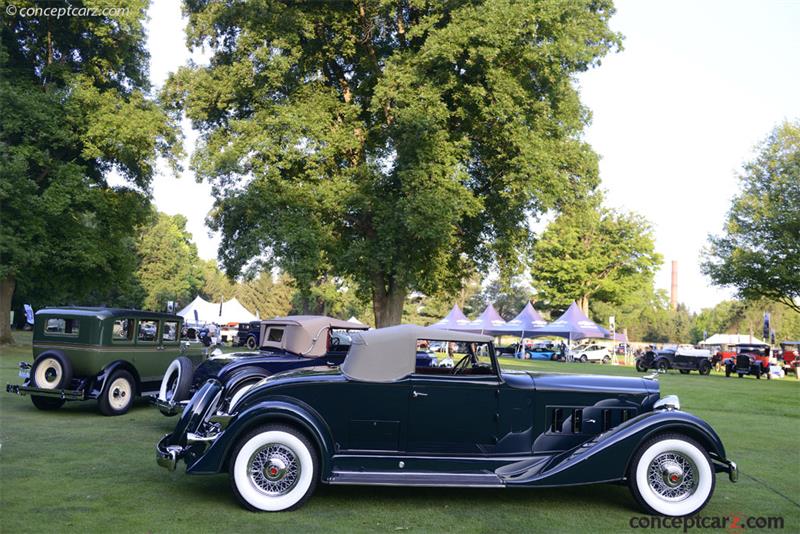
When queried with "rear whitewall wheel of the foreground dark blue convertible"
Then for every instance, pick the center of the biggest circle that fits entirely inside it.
(273, 469)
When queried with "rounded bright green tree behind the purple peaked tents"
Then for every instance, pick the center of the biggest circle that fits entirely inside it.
(590, 251)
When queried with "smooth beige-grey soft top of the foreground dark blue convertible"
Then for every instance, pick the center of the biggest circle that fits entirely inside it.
(389, 354)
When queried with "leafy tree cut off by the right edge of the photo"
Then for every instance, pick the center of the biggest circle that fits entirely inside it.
(759, 250)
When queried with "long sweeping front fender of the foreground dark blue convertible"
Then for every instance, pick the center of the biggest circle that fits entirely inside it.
(607, 458)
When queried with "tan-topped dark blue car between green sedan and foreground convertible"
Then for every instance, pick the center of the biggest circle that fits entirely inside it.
(290, 342)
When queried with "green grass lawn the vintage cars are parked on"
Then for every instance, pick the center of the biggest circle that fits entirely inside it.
(76, 471)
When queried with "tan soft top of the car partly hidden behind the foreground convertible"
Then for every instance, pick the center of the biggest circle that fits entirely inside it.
(303, 334)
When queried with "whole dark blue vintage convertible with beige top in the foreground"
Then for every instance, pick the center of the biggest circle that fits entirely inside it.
(380, 419)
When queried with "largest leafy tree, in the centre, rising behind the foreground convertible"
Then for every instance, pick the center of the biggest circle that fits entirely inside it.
(391, 142)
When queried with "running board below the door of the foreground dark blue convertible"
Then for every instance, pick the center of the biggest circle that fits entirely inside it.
(393, 478)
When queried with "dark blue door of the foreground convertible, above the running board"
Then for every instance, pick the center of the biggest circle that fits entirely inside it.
(455, 414)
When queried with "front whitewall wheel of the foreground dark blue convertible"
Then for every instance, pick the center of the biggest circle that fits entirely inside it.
(672, 475)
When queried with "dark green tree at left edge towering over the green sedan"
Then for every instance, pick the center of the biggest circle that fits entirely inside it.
(73, 94)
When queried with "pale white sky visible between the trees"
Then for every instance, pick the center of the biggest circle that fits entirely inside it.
(675, 114)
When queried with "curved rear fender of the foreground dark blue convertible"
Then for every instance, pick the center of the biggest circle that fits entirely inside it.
(272, 410)
